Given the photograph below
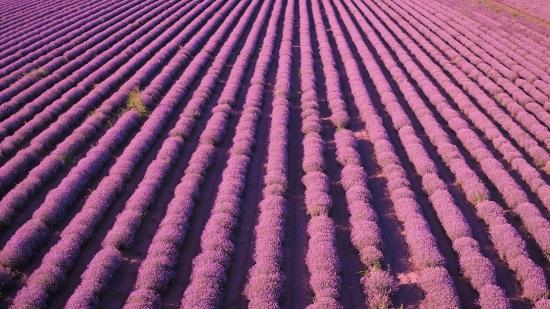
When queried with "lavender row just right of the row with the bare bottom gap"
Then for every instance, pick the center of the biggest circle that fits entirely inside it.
(426, 257)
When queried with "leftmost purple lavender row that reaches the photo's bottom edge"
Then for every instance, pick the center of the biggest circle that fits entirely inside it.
(81, 228)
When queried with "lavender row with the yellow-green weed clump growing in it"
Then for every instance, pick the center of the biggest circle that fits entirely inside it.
(53, 210)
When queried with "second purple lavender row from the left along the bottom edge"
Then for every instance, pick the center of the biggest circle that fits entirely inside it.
(121, 236)
